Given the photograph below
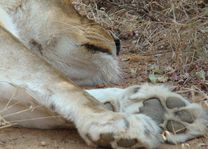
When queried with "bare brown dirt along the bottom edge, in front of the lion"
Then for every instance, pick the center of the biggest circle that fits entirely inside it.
(20, 138)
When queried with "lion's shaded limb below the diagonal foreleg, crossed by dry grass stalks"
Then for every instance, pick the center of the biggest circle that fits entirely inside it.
(21, 109)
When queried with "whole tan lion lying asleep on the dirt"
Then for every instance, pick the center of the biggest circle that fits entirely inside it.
(48, 52)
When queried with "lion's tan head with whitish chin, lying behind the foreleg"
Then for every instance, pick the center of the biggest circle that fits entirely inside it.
(57, 33)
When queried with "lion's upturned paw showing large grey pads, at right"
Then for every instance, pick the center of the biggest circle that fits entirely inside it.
(179, 119)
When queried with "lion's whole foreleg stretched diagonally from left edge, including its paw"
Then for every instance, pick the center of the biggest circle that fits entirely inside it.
(95, 124)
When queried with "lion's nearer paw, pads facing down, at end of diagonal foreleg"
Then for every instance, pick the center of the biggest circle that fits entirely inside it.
(120, 131)
